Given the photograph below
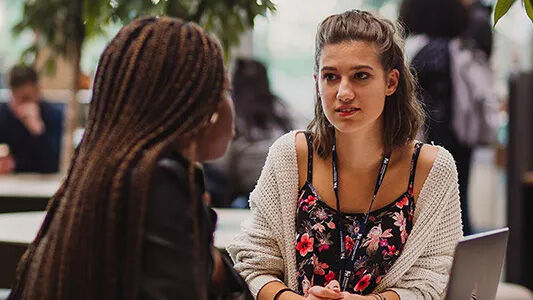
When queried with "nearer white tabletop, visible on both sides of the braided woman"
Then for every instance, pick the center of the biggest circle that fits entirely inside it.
(23, 227)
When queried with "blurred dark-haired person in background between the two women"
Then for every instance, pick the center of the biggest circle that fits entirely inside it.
(261, 118)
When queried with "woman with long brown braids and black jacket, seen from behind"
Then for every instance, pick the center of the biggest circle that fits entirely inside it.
(128, 221)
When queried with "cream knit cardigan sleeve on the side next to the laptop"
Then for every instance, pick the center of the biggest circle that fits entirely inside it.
(427, 277)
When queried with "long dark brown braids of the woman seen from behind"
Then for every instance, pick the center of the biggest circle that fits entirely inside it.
(157, 84)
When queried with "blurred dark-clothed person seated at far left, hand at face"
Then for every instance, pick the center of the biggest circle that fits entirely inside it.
(30, 126)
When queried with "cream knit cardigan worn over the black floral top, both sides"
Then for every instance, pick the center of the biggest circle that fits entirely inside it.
(265, 249)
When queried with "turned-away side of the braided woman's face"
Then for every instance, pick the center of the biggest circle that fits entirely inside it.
(214, 140)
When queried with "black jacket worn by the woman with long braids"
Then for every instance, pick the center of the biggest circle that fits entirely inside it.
(176, 261)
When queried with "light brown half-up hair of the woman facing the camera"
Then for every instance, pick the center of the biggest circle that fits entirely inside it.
(403, 113)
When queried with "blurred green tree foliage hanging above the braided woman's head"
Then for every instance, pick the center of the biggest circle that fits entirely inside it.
(64, 25)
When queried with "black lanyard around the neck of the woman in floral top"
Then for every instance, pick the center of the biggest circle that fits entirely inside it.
(347, 264)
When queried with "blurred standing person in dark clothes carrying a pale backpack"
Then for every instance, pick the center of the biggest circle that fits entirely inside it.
(448, 52)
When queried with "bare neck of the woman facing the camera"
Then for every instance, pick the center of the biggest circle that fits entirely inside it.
(360, 151)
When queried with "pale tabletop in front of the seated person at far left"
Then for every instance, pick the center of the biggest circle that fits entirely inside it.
(29, 185)
